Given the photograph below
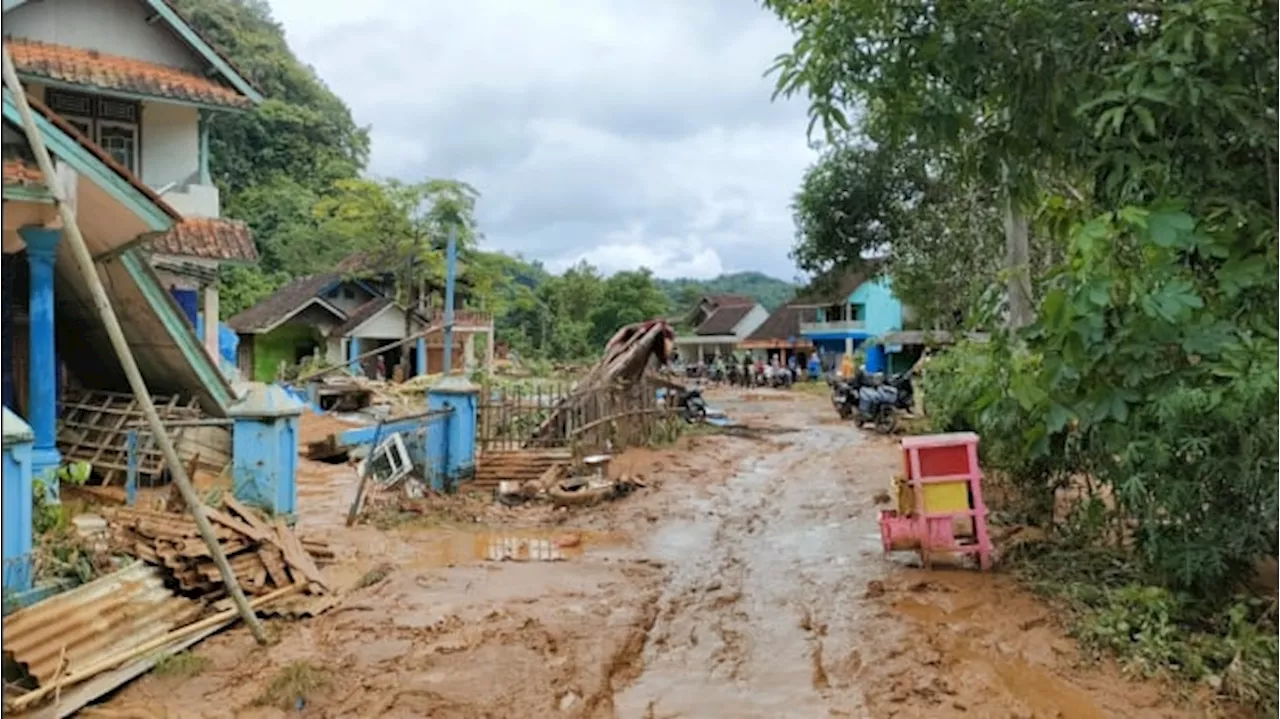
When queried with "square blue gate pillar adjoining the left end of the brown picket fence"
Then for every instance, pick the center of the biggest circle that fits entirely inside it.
(452, 442)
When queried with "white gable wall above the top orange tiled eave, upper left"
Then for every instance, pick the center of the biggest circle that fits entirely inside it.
(117, 28)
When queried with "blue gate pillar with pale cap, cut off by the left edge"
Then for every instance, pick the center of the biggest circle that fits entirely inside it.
(17, 503)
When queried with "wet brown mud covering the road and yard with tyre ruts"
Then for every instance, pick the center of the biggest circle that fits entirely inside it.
(746, 581)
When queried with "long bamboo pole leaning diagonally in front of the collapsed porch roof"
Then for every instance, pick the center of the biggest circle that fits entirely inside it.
(89, 273)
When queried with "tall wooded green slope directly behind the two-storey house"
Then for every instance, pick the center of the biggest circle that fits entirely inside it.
(275, 163)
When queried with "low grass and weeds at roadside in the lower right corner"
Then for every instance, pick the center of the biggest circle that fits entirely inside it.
(1232, 647)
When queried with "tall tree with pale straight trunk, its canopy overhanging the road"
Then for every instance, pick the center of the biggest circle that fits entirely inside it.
(994, 85)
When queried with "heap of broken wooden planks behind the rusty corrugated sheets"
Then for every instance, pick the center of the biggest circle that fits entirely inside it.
(264, 556)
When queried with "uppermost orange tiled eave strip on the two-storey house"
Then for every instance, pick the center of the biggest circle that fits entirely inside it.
(100, 71)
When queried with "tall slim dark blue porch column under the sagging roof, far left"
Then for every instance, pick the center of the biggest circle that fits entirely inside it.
(43, 370)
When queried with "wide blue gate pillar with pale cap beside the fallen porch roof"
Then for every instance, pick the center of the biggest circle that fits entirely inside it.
(266, 450)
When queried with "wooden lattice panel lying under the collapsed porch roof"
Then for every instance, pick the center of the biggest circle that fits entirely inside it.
(94, 428)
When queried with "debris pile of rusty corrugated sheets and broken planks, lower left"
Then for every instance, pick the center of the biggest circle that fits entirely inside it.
(71, 649)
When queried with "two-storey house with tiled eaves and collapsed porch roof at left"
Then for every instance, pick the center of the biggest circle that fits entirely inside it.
(121, 91)
